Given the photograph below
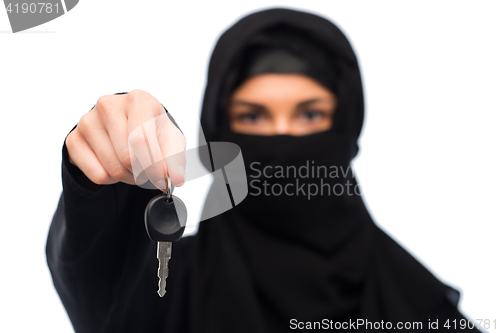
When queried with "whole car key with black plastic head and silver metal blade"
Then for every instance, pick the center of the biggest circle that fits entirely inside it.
(165, 219)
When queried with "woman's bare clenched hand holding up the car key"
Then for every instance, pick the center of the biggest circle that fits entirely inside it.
(117, 139)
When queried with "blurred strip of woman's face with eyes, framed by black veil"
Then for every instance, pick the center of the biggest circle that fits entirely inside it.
(271, 104)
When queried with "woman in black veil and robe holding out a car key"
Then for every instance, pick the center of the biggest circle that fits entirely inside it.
(285, 86)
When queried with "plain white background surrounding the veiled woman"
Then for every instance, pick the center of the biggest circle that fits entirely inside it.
(429, 157)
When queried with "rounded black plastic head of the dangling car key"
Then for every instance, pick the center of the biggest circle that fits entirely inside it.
(165, 218)
